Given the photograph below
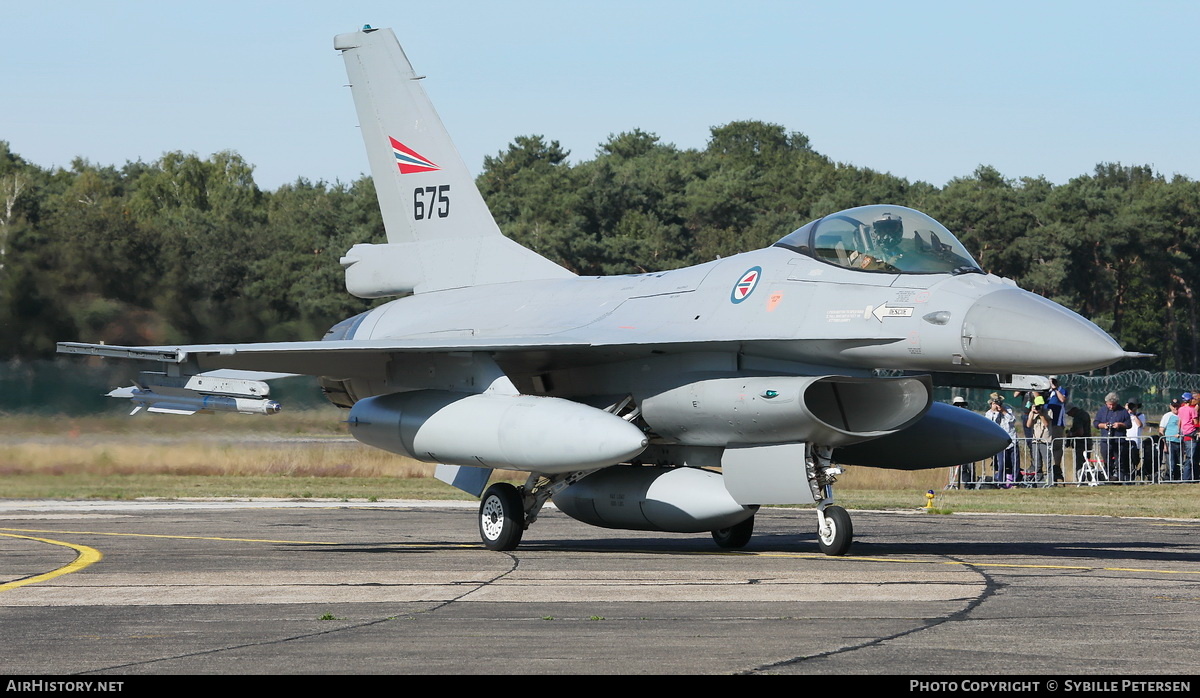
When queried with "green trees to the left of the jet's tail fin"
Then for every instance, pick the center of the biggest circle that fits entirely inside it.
(181, 250)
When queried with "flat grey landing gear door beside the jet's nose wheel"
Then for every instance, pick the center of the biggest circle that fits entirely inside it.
(767, 474)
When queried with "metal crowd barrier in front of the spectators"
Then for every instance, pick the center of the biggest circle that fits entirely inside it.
(1079, 462)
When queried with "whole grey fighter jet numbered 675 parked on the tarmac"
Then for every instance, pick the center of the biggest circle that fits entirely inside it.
(677, 401)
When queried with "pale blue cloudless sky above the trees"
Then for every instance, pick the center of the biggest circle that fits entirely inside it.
(926, 91)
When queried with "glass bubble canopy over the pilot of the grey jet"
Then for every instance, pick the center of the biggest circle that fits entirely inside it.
(881, 238)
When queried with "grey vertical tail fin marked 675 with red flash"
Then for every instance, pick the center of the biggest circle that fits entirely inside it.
(440, 231)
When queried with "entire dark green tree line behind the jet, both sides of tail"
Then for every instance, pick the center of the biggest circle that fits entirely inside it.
(191, 250)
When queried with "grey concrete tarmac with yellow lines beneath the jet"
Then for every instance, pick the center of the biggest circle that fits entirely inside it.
(406, 588)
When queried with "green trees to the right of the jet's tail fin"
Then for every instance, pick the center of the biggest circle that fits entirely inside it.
(1117, 245)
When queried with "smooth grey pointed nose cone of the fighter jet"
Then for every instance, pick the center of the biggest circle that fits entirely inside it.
(1016, 332)
